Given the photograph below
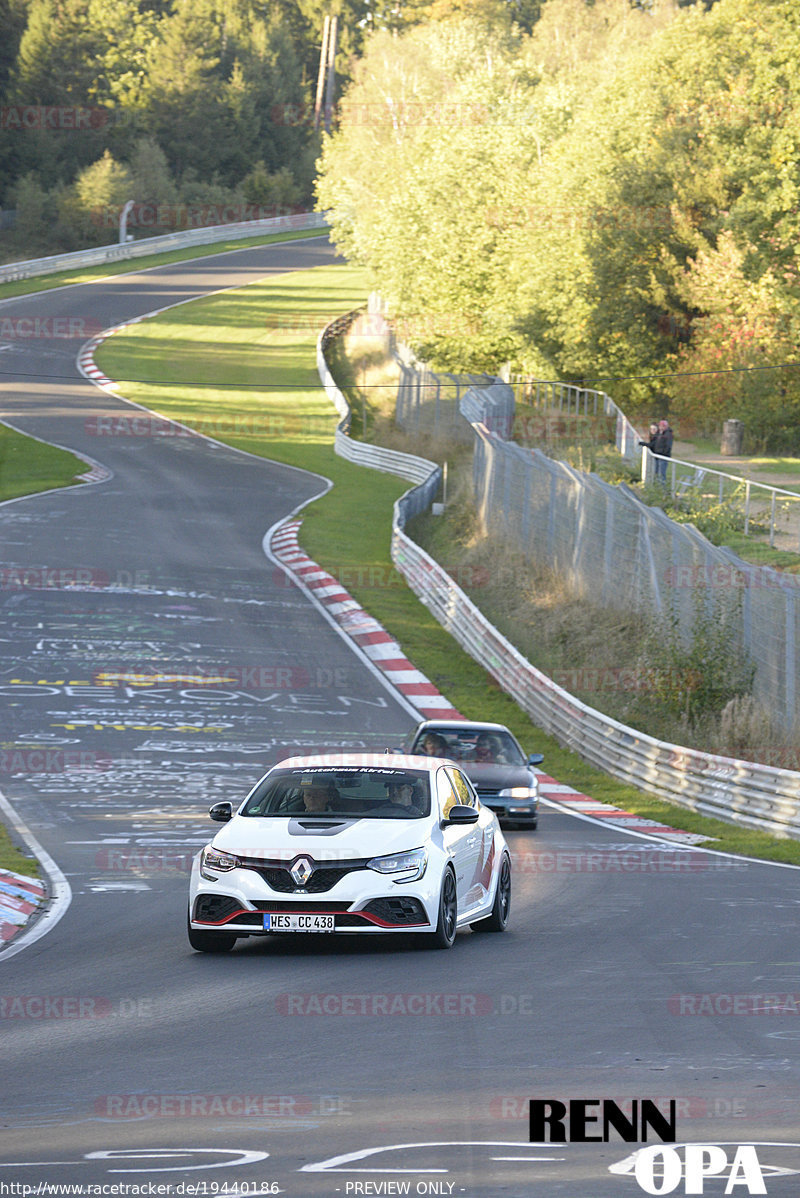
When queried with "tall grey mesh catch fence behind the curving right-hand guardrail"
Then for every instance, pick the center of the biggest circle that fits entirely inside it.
(615, 550)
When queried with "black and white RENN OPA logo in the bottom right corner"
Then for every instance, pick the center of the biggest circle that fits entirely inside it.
(659, 1170)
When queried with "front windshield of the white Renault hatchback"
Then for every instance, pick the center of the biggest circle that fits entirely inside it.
(355, 794)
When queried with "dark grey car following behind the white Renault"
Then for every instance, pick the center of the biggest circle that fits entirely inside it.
(493, 760)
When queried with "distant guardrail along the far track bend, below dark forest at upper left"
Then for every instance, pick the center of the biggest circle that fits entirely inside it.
(37, 267)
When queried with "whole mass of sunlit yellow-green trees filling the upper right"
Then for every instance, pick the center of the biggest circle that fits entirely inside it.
(628, 219)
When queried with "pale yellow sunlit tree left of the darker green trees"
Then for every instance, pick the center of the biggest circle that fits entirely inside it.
(433, 128)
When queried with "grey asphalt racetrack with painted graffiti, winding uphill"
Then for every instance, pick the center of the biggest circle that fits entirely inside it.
(128, 1060)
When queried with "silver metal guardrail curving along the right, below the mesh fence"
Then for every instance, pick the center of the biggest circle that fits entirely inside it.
(737, 791)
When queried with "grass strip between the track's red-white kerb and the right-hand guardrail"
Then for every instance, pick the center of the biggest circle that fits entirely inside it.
(249, 358)
